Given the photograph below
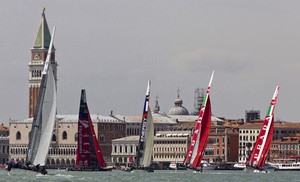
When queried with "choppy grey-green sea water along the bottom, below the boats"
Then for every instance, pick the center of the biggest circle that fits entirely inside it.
(160, 175)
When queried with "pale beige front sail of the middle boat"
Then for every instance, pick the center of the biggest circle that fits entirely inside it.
(147, 158)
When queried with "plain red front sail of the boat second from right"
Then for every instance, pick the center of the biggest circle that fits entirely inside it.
(204, 132)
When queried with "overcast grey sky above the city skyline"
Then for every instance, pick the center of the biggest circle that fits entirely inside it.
(111, 48)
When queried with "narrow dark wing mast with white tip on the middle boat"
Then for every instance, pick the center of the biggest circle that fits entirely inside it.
(142, 139)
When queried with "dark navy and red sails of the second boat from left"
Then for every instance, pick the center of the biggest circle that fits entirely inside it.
(88, 149)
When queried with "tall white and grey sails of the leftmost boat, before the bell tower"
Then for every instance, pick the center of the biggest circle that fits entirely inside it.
(44, 117)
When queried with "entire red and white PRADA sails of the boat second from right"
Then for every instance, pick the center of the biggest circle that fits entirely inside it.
(201, 132)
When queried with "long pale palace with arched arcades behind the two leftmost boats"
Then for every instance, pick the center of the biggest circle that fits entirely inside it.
(62, 151)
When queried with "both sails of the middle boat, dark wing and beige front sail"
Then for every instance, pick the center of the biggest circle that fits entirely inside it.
(144, 153)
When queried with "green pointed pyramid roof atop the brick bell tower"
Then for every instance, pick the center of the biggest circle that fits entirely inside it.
(43, 36)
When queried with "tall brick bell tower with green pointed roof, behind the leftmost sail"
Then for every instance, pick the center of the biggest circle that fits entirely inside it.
(36, 64)
